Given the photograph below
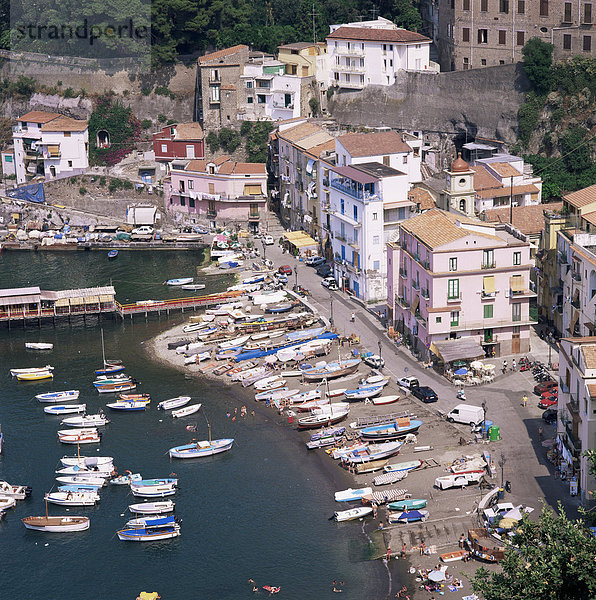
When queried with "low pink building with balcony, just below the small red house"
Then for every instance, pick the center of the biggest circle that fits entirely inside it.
(221, 191)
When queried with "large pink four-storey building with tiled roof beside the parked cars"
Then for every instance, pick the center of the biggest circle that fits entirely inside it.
(451, 277)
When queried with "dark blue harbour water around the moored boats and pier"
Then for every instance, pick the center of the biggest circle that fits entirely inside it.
(259, 511)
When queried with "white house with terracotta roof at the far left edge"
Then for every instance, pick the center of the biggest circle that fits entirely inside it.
(49, 146)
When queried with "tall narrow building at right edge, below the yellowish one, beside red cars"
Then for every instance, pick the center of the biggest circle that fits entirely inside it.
(576, 404)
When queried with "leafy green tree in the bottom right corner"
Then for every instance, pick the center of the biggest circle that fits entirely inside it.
(553, 559)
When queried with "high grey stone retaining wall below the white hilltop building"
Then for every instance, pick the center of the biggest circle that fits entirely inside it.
(480, 102)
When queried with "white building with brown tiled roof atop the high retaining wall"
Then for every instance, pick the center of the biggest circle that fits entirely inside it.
(372, 52)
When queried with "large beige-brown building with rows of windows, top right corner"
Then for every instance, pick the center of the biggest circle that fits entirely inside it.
(482, 33)
